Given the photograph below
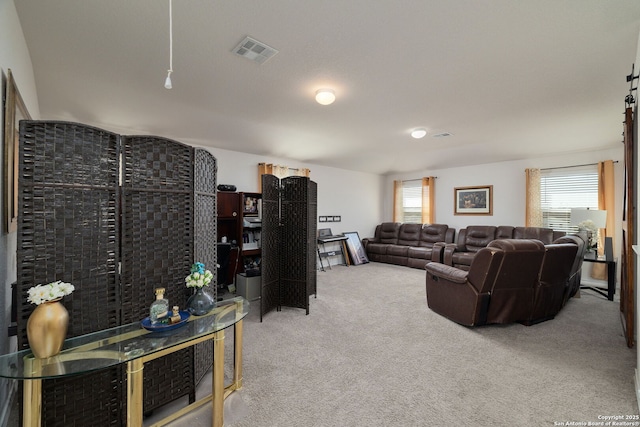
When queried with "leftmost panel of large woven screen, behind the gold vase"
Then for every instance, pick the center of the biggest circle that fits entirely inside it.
(67, 230)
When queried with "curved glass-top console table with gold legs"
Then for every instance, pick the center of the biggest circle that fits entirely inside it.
(133, 345)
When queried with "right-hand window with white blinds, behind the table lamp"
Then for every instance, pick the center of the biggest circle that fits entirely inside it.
(565, 188)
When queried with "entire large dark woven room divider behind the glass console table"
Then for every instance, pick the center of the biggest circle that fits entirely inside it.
(79, 222)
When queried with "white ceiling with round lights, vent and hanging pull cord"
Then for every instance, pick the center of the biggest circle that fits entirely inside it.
(509, 79)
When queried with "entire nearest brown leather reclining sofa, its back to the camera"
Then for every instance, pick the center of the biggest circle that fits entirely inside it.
(509, 280)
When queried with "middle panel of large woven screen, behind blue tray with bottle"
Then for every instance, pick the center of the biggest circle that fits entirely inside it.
(157, 249)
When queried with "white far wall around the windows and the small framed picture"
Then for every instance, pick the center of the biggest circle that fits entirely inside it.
(508, 180)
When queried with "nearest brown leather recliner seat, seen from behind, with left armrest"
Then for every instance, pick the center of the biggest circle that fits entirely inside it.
(499, 286)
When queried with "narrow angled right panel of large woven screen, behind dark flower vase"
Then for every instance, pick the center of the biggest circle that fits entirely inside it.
(205, 249)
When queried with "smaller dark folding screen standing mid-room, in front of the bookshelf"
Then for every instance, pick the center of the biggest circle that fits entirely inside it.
(289, 210)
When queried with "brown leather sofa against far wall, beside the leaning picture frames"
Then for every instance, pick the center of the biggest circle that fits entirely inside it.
(406, 244)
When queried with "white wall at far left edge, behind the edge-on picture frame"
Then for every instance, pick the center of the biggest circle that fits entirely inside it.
(14, 55)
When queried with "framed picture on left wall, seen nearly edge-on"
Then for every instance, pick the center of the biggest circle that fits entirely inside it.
(14, 111)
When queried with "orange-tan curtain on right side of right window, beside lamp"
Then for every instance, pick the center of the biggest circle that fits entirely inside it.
(606, 201)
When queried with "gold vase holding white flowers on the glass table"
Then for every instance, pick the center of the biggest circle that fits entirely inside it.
(47, 325)
